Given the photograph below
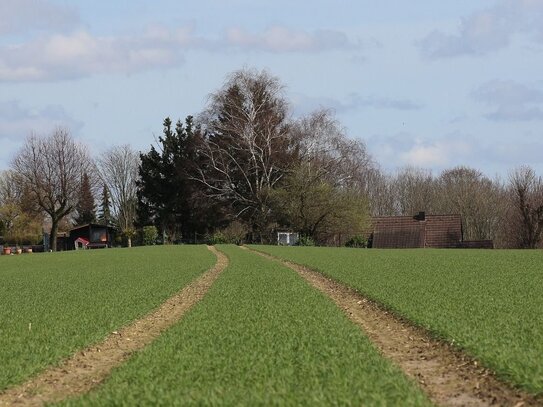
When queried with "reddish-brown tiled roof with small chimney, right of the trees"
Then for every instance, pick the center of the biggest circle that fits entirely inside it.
(437, 231)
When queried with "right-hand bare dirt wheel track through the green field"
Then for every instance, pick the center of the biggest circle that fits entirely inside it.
(449, 377)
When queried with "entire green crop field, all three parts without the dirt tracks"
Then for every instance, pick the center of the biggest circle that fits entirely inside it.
(262, 335)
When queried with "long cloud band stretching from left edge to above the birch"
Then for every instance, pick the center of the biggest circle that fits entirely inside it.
(79, 53)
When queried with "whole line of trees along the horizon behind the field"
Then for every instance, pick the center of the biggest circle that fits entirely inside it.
(243, 169)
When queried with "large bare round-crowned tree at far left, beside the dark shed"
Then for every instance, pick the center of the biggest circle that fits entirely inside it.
(51, 169)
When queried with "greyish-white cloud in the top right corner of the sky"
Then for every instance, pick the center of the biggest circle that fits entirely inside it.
(488, 30)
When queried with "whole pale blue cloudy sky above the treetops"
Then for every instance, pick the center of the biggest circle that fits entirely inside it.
(429, 84)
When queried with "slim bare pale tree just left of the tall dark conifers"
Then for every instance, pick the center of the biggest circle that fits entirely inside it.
(118, 168)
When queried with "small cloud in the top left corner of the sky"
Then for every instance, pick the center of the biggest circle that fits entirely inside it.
(23, 15)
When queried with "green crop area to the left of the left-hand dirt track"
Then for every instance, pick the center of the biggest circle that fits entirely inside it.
(53, 304)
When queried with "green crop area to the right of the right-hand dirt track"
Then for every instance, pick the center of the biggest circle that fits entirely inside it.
(489, 303)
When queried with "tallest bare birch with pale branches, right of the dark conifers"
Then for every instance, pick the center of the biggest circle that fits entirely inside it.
(247, 148)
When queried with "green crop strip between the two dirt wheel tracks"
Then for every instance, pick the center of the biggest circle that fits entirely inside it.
(261, 336)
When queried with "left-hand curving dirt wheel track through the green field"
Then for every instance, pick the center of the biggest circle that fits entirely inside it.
(90, 367)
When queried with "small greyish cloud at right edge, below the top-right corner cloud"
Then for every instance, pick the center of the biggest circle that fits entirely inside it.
(510, 100)
